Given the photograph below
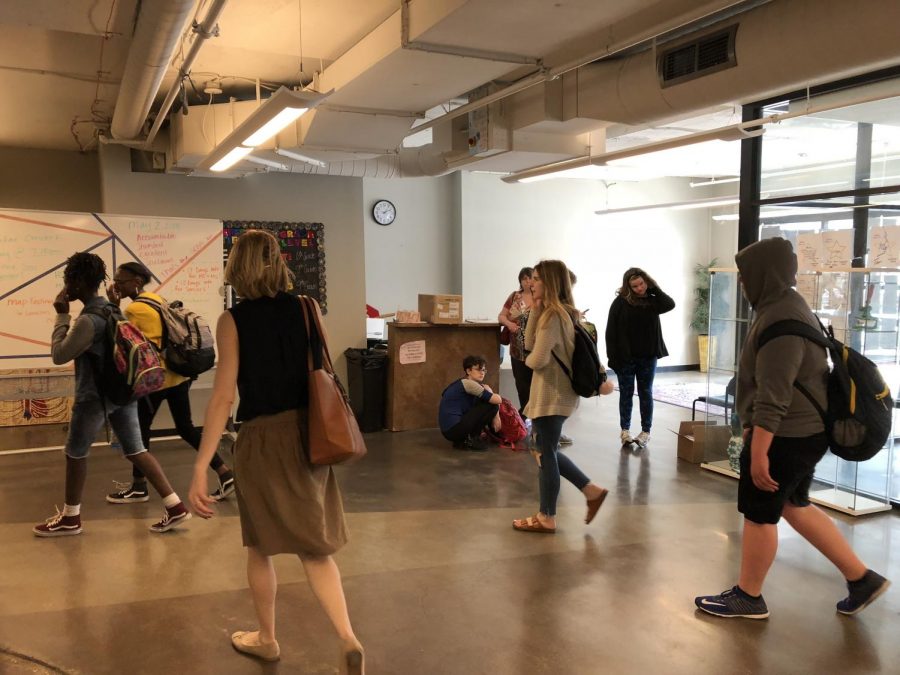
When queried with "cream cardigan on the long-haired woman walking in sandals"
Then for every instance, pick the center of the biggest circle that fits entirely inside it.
(551, 389)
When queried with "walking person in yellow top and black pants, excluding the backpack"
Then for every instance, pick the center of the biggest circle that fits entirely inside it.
(128, 282)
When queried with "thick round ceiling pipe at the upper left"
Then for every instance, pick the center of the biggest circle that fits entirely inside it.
(156, 37)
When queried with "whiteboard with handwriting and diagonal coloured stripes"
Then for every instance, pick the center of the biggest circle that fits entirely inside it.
(184, 255)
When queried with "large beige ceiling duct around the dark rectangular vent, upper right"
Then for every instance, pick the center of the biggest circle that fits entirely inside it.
(780, 47)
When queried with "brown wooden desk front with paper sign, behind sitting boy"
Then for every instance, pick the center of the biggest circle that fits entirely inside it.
(414, 388)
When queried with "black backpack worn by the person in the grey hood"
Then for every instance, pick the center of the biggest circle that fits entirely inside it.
(860, 406)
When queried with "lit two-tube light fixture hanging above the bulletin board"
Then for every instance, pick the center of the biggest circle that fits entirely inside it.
(281, 109)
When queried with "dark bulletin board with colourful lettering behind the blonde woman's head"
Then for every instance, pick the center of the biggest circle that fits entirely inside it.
(302, 246)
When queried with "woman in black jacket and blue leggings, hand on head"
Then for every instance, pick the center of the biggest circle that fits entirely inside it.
(634, 342)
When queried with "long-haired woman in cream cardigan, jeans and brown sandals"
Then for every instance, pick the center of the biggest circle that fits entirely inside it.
(550, 331)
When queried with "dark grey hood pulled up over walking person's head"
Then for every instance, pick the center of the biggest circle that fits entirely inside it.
(768, 269)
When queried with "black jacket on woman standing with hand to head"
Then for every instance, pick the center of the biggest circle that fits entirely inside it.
(634, 331)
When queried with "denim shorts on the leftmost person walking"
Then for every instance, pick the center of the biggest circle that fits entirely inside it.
(87, 420)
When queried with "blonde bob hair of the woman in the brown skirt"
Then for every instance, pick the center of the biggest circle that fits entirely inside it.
(255, 267)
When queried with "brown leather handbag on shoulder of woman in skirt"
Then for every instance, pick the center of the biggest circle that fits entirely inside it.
(334, 435)
